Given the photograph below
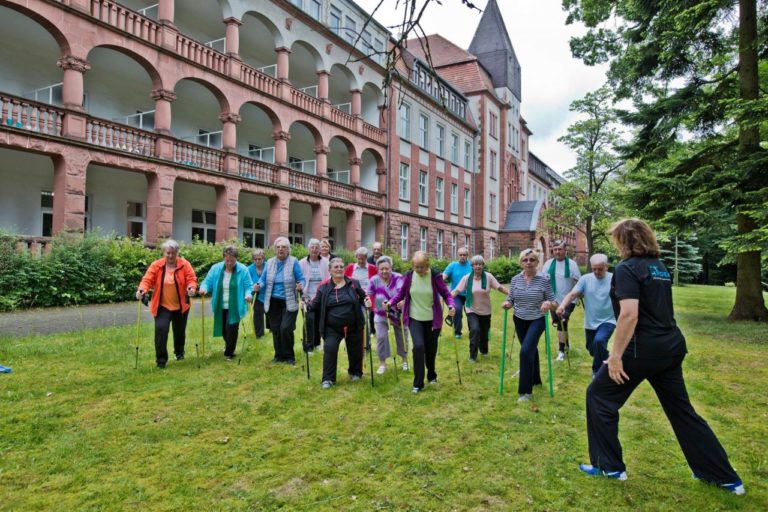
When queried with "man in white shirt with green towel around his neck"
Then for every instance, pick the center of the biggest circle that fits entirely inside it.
(563, 274)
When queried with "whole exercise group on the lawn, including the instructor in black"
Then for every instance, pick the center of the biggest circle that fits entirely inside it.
(351, 302)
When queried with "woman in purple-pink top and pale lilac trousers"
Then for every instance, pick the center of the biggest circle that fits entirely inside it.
(381, 288)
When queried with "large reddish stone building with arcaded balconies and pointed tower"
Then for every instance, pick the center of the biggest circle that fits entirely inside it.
(252, 119)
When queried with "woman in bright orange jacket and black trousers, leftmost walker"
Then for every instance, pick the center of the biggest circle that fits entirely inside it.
(173, 280)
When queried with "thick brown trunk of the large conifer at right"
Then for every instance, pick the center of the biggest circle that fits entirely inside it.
(749, 303)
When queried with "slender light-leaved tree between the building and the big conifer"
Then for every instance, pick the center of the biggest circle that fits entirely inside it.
(586, 200)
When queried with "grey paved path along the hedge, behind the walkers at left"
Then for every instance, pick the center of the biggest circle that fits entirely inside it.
(53, 320)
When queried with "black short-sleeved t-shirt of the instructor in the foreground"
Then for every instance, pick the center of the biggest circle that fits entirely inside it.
(648, 280)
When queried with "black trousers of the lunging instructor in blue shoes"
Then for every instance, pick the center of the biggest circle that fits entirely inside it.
(706, 457)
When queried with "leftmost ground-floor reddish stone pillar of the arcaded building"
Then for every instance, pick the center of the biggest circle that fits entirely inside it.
(69, 192)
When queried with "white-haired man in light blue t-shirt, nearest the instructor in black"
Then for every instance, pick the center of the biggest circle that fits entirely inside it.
(599, 321)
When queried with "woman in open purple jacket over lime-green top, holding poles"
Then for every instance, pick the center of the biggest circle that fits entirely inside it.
(419, 300)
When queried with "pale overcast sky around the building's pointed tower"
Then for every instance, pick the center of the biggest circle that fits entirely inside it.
(551, 77)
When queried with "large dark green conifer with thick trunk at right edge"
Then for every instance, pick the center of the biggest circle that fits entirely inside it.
(691, 70)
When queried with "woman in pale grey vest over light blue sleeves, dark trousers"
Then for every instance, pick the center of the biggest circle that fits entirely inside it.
(282, 281)
